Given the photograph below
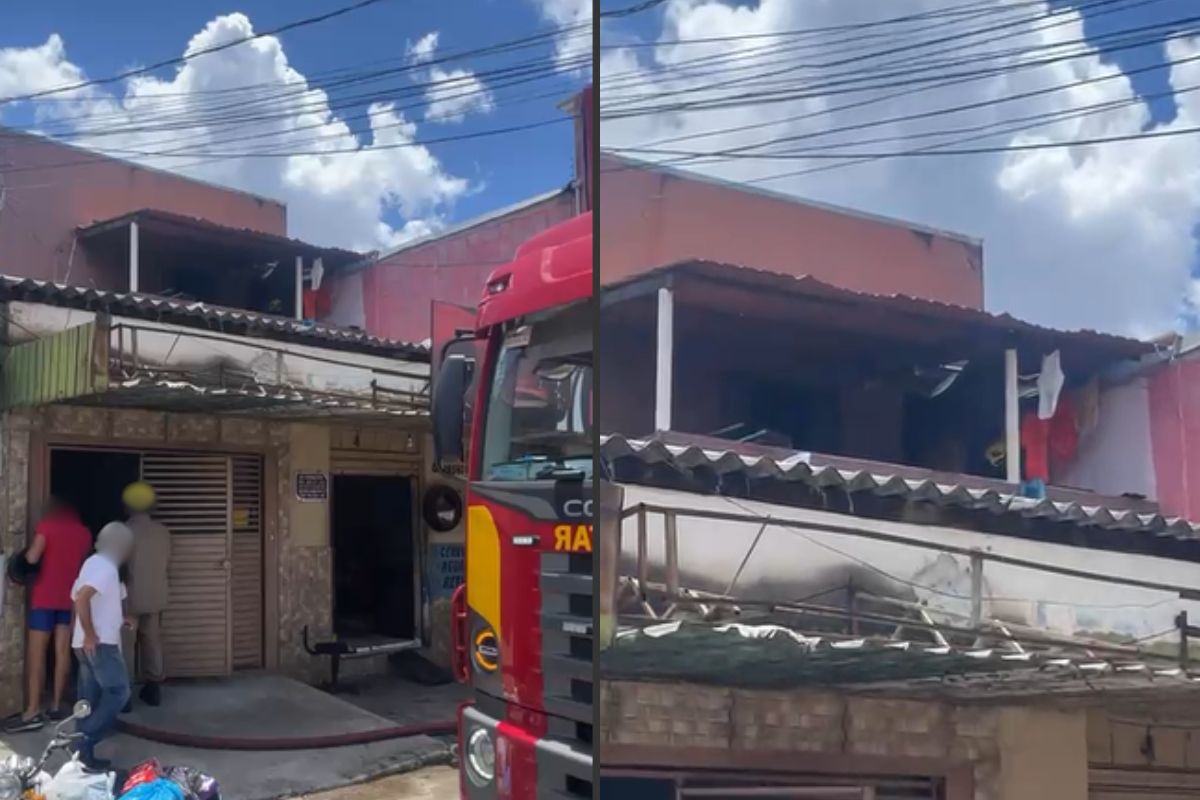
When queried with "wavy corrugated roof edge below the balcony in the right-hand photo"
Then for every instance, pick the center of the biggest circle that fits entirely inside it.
(799, 470)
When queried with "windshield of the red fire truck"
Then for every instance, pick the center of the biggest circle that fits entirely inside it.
(539, 408)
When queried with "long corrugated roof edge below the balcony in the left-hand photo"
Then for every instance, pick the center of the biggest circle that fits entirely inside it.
(199, 315)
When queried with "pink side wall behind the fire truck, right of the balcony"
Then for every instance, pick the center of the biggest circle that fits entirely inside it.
(398, 292)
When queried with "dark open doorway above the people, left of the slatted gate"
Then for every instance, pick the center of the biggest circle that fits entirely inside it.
(93, 482)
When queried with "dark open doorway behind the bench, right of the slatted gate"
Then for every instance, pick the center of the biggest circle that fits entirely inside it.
(374, 567)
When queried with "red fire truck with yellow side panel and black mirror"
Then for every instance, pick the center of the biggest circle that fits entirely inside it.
(524, 618)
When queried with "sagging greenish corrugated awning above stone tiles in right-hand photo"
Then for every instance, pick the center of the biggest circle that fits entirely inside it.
(770, 657)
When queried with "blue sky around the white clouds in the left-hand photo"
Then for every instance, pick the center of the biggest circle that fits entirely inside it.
(509, 169)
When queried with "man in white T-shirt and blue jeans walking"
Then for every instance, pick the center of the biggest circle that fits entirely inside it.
(104, 678)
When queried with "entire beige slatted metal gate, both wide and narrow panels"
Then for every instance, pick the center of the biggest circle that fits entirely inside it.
(213, 507)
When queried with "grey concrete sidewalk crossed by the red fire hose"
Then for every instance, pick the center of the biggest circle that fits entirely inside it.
(261, 707)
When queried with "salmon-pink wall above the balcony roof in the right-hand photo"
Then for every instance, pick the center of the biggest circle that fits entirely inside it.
(653, 219)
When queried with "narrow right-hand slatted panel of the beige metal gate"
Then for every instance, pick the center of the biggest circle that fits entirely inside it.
(248, 562)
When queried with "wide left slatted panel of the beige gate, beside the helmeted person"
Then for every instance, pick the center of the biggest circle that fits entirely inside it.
(195, 504)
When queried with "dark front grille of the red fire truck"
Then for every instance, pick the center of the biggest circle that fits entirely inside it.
(568, 645)
